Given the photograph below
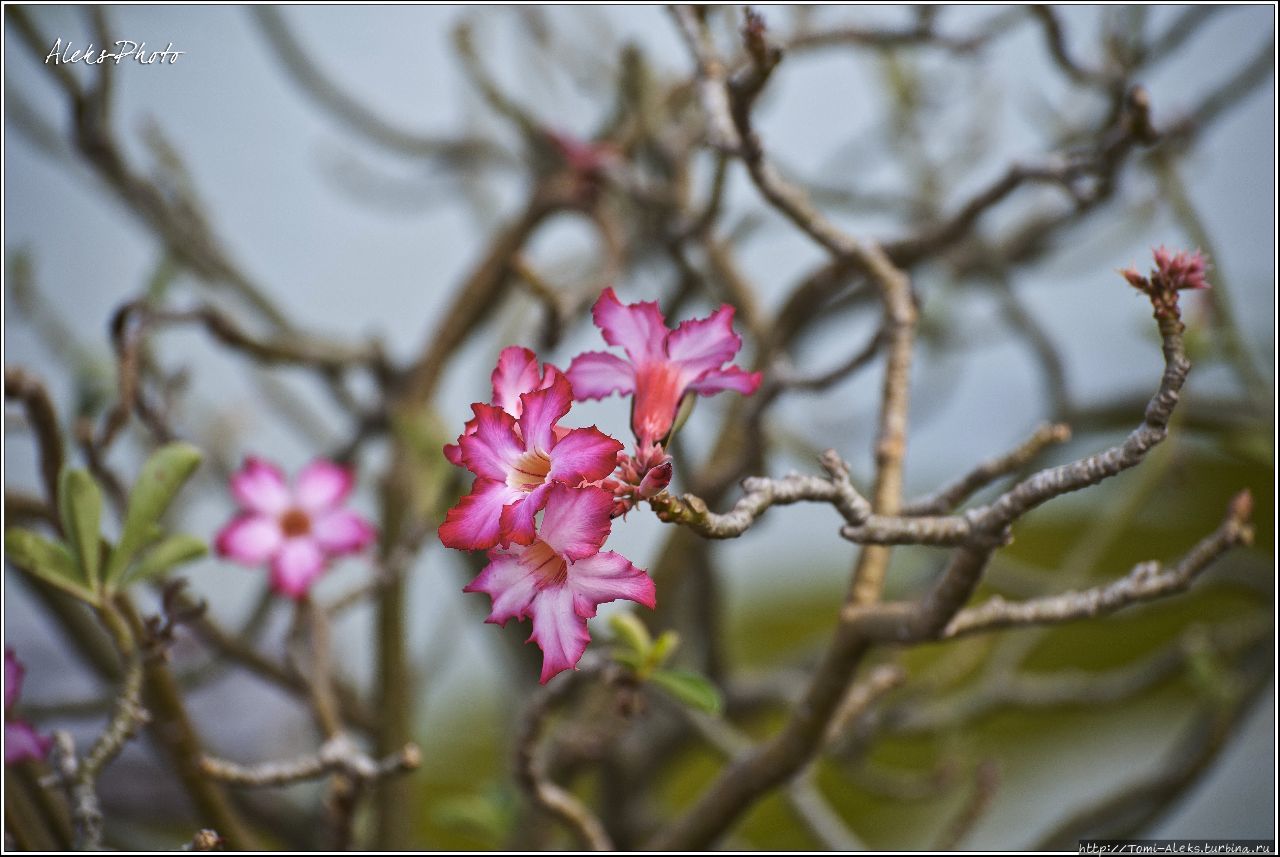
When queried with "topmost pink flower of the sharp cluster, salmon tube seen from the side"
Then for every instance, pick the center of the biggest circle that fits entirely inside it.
(664, 365)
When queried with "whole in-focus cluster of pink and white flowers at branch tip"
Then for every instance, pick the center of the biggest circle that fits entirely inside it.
(554, 570)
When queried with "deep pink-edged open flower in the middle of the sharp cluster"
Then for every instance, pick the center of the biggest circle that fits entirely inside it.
(516, 464)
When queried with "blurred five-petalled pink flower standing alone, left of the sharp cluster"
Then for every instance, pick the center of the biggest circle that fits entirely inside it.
(298, 531)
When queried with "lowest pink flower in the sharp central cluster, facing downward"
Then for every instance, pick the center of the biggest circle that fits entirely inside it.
(563, 576)
